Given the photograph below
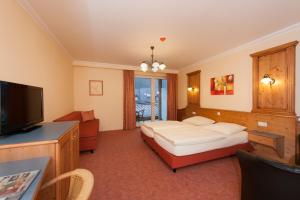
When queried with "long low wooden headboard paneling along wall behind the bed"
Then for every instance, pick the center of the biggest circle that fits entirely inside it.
(278, 124)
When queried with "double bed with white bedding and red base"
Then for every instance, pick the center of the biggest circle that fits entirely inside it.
(192, 152)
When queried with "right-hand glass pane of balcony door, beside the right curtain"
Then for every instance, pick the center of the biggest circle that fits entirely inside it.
(160, 105)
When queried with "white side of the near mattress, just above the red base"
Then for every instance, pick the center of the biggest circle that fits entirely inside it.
(183, 150)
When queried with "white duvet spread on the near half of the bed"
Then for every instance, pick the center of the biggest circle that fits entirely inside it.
(188, 135)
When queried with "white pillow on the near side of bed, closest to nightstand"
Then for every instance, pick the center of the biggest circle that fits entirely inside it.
(225, 128)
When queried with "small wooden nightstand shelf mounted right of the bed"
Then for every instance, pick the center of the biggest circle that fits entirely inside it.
(268, 139)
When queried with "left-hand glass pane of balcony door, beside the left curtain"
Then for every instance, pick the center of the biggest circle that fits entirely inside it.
(143, 99)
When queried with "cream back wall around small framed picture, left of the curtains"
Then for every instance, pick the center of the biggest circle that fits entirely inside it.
(109, 107)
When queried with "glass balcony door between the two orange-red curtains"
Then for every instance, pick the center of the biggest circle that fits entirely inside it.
(151, 98)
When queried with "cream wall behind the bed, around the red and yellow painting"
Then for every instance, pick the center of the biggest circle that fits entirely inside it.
(238, 62)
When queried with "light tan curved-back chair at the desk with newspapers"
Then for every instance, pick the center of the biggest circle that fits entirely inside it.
(81, 184)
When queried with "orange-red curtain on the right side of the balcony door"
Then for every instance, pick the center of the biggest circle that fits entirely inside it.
(172, 97)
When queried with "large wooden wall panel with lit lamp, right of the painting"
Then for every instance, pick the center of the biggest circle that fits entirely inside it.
(279, 63)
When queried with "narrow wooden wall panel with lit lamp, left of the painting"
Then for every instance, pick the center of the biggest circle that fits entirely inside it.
(193, 80)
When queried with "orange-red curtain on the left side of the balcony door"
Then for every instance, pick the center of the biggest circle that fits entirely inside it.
(129, 118)
